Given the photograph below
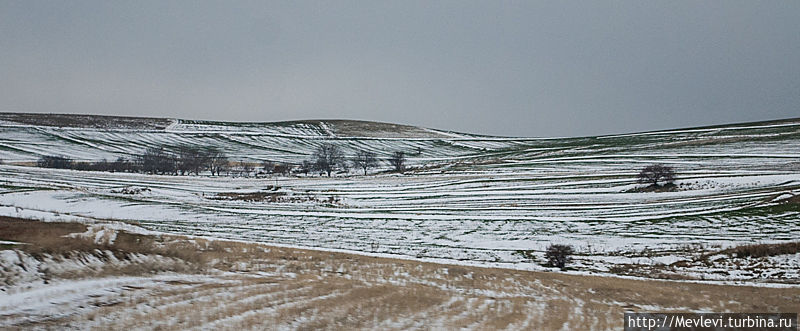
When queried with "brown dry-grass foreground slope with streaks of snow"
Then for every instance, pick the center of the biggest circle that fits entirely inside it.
(96, 276)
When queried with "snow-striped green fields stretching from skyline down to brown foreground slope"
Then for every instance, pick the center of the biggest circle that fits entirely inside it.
(471, 200)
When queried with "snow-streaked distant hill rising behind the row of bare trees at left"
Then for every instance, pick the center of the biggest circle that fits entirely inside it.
(26, 137)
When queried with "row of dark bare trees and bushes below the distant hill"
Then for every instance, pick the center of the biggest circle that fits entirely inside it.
(185, 160)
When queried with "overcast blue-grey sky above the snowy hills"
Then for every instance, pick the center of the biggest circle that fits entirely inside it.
(523, 68)
